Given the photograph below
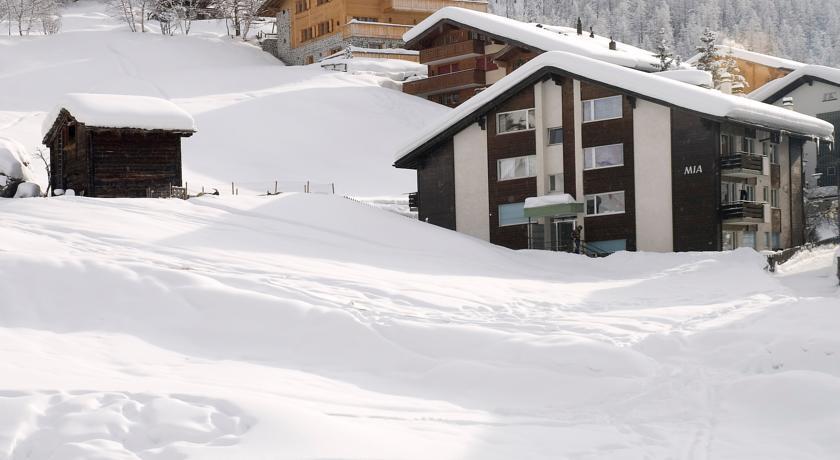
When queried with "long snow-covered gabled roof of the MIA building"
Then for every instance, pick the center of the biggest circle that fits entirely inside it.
(646, 85)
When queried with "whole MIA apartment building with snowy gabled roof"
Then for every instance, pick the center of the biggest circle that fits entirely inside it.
(640, 161)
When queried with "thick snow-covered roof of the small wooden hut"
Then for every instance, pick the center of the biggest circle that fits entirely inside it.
(121, 111)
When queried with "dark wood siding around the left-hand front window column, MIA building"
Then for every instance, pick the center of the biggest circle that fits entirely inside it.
(510, 191)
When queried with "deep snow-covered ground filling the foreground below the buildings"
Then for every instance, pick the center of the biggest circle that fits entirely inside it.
(306, 326)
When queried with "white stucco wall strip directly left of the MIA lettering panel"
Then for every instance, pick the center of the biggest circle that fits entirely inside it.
(652, 174)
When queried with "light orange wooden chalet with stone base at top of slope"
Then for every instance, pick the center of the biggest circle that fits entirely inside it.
(310, 30)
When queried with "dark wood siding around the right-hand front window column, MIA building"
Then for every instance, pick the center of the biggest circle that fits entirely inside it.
(621, 178)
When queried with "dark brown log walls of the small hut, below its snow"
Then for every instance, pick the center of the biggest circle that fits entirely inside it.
(111, 163)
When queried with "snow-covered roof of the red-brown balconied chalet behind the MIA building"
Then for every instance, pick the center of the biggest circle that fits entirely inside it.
(540, 36)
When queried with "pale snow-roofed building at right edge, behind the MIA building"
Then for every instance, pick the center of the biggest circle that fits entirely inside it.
(813, 90)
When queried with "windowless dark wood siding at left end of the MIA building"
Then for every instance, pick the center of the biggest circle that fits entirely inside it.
(436, 186)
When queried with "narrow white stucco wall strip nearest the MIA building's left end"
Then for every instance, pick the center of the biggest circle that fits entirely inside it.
(472, 204)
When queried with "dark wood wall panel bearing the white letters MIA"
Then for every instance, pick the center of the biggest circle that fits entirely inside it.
(696, 196)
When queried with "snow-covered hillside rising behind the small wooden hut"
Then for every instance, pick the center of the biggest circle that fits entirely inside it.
(258, 121)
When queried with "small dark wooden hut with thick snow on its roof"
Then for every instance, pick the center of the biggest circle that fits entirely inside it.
(104, 145)
